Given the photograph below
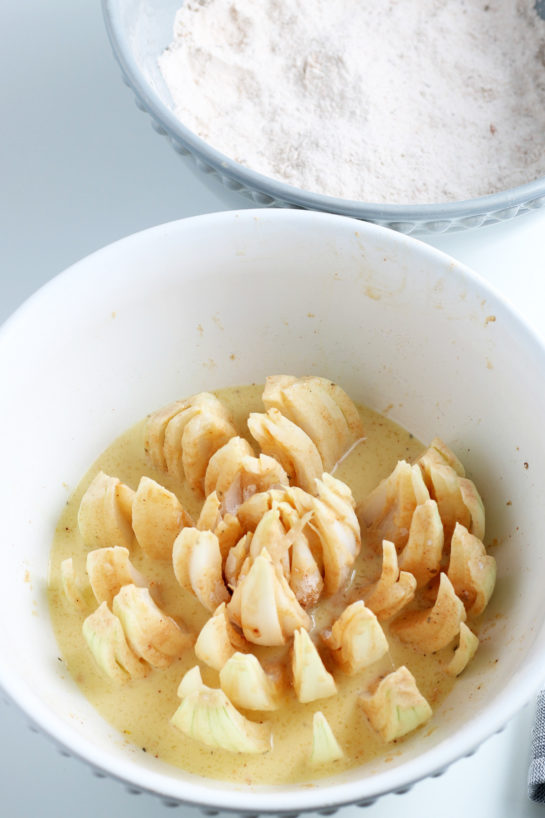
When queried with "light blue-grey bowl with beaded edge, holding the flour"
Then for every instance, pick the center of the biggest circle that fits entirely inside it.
(140, 31)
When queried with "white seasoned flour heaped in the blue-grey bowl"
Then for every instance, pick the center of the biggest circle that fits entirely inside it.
(390, 101)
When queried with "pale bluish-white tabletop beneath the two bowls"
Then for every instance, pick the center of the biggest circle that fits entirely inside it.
(80, 167)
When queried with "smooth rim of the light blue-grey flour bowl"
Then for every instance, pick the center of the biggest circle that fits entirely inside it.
(285, 193)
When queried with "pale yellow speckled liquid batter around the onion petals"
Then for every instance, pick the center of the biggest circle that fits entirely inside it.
(141, 709)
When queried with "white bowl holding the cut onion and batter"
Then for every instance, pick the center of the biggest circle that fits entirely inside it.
(226, 299)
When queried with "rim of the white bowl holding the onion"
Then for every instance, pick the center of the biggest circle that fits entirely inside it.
(324, 796)
